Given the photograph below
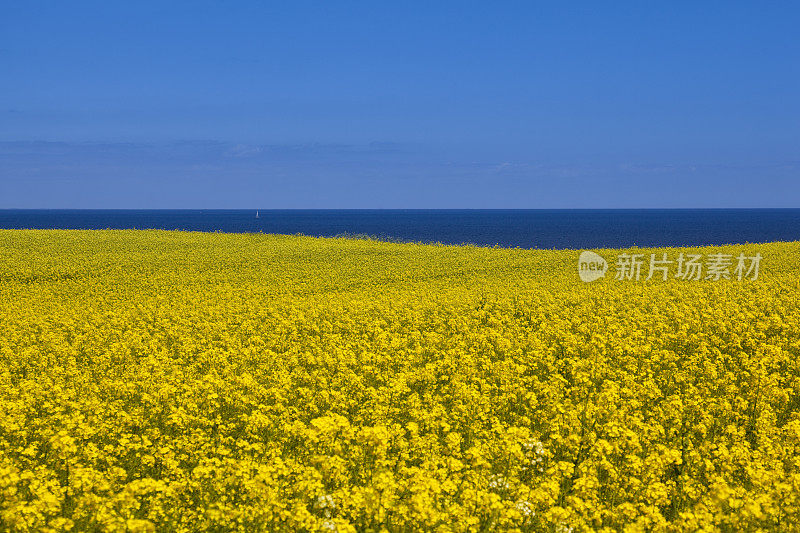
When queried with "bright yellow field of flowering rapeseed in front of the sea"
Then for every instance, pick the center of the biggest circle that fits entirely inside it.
(169, 381)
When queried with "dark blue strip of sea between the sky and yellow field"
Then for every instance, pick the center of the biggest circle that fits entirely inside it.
(602, 228)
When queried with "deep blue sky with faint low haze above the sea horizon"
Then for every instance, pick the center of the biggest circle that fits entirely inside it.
(294, 104)
